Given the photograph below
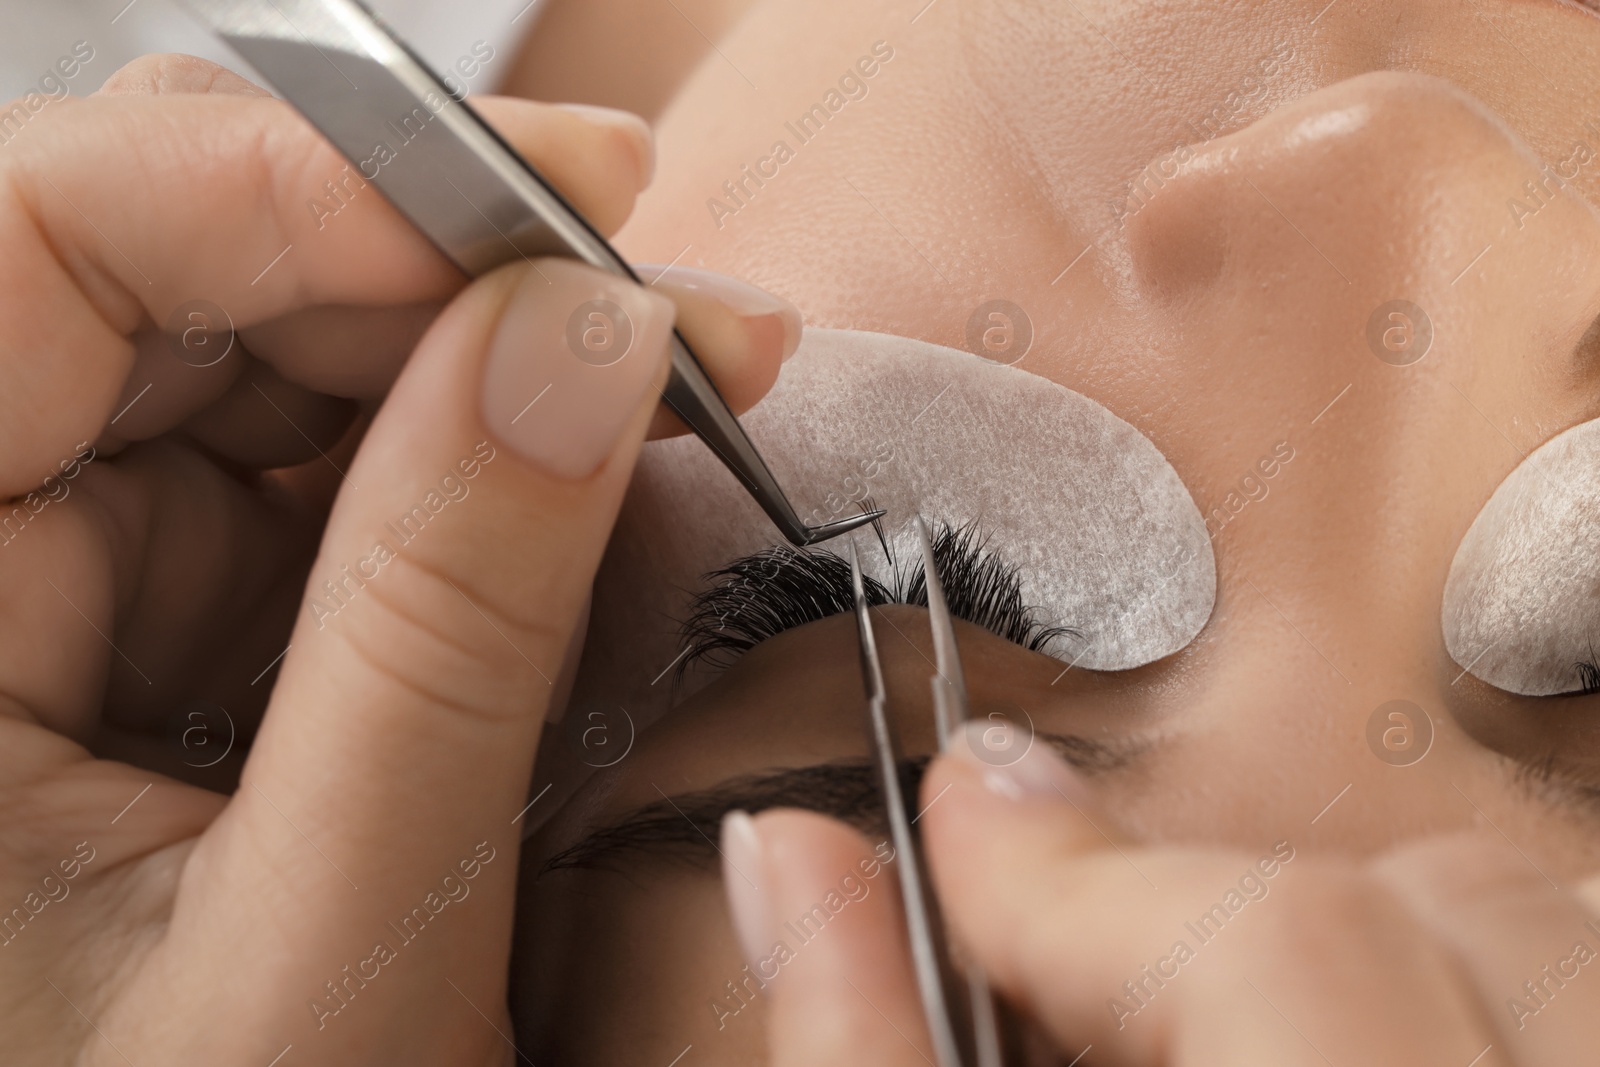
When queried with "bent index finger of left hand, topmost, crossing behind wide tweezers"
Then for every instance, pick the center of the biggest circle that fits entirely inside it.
(239, 204)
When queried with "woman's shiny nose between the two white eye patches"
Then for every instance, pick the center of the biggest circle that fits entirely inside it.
(1382, 297)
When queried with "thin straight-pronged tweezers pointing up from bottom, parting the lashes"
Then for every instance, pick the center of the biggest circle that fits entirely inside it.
(959, 1009)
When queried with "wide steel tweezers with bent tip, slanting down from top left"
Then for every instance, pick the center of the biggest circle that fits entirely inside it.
(462, 185)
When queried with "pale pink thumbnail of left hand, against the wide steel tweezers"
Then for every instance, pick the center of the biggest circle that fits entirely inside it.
(572, 361)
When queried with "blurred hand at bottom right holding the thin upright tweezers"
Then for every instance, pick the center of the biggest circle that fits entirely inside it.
(1271, 959)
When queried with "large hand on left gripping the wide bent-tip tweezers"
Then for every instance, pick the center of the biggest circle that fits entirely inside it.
(353, 901)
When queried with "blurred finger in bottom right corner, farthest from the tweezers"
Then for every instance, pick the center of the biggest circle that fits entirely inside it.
(1526, 945)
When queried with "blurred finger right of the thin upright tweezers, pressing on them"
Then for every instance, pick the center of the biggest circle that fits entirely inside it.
(1241, 959)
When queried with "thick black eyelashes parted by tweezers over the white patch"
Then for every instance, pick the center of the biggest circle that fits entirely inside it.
(761, 596)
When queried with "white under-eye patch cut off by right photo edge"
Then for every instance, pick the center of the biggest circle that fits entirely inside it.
(1522, 602)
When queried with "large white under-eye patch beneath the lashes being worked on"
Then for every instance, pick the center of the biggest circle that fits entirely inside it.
(1108, 538)
